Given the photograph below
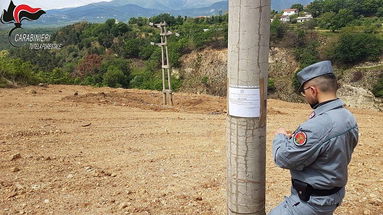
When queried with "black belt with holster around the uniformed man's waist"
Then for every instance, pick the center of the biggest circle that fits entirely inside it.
(305, 190)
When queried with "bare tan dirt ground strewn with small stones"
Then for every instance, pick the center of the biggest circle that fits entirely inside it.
(115, 151)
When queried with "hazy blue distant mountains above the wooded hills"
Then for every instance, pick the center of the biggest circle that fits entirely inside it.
(123, 10)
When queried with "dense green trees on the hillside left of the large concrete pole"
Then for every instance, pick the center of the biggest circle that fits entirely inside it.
(101, 54)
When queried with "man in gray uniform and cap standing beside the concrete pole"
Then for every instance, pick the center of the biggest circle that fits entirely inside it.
(318, 152)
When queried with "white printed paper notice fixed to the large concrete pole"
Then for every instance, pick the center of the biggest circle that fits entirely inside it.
(244, 102)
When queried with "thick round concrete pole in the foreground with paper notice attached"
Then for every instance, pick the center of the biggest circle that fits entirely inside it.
(248, 52)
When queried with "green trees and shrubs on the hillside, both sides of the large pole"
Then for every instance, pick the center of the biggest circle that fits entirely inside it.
(119, 54)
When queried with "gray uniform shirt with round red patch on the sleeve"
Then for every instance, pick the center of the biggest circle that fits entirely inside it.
(320, 150)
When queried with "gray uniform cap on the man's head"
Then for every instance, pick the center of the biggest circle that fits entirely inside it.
(313, 71)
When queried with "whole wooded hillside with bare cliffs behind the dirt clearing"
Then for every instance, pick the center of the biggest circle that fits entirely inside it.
(120, 54)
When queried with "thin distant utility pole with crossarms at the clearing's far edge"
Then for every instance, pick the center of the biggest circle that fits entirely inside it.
(166, 78)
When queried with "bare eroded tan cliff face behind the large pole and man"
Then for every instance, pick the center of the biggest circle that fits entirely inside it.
(206, 72)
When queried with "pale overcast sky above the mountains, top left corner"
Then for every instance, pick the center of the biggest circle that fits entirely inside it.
(48, 4)
